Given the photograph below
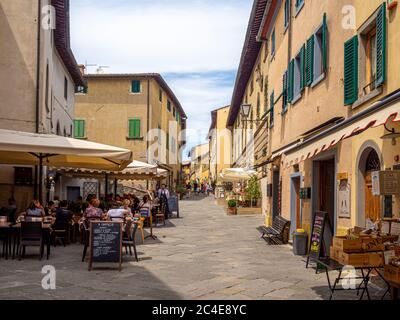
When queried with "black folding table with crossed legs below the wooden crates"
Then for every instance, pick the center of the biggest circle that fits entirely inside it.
(330, 264)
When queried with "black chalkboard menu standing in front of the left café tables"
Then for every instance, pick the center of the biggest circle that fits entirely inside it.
(105, 243)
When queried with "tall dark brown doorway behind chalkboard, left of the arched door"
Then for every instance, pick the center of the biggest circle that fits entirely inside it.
(324, 195)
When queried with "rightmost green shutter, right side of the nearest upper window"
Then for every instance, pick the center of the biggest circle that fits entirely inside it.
(381, 45)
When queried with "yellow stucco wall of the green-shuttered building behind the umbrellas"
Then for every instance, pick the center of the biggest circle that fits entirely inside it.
(108, 106)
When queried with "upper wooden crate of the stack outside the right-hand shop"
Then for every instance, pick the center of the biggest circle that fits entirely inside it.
(363, 244)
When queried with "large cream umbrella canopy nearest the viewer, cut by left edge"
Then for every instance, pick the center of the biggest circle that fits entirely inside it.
(47, 149)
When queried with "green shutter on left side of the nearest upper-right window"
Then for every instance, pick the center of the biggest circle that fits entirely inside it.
(351, 71)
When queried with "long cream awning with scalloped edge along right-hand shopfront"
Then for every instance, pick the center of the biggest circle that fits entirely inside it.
(308, 149)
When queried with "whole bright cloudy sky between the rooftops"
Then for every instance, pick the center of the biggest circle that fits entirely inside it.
(194, 44)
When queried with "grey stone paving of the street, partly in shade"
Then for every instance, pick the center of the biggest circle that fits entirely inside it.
(203, 255)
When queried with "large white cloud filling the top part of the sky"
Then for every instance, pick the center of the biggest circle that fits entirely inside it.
(159, 36)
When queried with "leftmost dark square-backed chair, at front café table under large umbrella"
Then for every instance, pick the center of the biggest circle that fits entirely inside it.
(31, 236)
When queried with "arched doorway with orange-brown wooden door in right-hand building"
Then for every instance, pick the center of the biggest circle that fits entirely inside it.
(369, 206)
